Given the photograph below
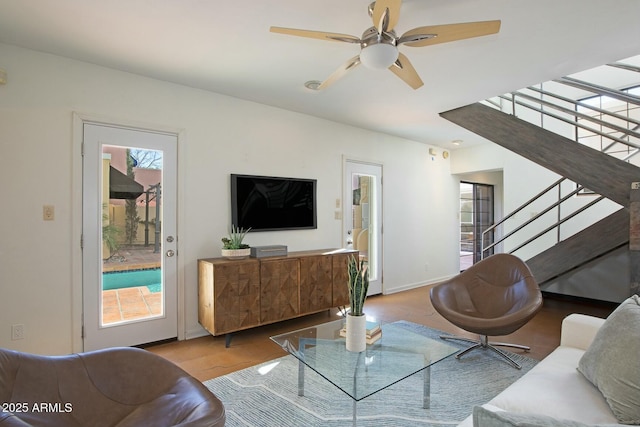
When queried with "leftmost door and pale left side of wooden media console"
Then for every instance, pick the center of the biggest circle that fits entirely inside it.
(229, 295)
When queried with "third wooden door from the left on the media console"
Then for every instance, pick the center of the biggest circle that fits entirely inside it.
(315, 283)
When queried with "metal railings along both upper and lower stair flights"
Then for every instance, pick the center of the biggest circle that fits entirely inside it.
(617, 134)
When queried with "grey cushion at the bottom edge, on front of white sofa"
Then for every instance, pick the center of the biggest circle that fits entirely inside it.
(483, 417)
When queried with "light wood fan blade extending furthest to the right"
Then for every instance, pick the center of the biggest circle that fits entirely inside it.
(423, 36)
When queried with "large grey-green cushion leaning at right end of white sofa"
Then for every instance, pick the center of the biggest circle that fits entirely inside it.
(611, 361)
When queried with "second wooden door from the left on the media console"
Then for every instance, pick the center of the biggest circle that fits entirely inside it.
(279, 289)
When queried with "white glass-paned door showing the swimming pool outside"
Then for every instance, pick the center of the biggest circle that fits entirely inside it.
(129, 236)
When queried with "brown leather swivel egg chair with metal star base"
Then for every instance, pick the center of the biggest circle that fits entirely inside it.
(495, 296)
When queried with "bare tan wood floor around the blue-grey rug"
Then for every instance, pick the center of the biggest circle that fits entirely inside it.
(207, 357)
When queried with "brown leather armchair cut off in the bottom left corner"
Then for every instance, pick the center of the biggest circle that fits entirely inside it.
(114, 387)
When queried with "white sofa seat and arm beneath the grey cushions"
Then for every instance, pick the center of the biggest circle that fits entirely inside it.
(554, 387)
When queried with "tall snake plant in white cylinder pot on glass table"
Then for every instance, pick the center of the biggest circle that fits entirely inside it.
(356, 328)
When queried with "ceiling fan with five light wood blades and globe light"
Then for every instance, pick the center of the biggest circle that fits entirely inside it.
(379, 44)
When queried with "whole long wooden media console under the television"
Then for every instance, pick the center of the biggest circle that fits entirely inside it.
(240, 294)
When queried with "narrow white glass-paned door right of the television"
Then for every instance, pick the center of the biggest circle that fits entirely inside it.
(363, 217)
